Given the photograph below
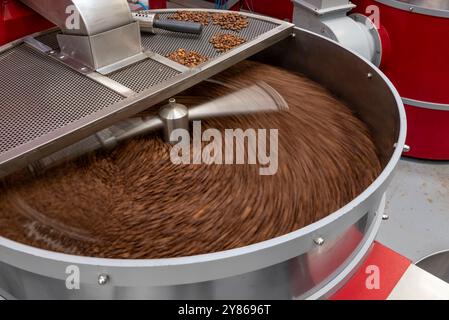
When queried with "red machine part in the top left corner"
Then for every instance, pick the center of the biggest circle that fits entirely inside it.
(17, 21)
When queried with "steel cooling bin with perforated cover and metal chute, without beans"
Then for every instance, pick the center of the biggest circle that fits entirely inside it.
(59, 86)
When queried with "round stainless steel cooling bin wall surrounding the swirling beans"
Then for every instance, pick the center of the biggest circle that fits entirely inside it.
(312, 262)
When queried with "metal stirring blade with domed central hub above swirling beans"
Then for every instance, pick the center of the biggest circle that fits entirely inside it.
(258, 98)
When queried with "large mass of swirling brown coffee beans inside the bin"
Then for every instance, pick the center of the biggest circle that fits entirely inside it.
(133, 203)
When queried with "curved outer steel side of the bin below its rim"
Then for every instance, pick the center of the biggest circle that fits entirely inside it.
(295, 278)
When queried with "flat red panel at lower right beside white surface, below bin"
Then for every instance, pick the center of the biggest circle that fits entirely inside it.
(391, 267)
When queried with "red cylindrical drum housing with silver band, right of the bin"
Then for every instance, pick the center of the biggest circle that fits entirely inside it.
(418, 65)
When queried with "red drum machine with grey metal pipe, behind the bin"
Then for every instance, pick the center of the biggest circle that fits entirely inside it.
(407, 39)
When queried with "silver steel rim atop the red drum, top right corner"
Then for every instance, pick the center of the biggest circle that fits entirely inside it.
(419, 6)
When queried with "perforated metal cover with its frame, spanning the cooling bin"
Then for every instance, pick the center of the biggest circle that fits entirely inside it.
(48, 104)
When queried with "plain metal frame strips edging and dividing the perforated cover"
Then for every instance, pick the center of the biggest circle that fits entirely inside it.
(43, 146)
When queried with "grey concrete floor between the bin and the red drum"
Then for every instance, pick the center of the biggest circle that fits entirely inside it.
(418, 206)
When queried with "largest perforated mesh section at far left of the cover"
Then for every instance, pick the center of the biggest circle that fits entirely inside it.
(39, 95)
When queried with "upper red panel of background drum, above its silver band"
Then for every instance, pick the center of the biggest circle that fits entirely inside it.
(418, 63)
